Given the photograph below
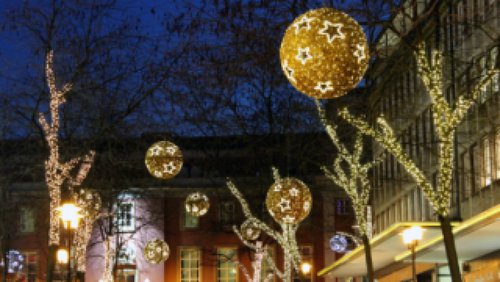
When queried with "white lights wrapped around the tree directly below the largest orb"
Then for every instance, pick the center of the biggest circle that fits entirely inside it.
(354, 179)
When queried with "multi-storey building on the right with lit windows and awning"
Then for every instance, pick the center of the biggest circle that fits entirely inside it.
(467, 32)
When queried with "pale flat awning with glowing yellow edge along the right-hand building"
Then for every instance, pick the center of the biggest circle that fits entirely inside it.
(475, 237)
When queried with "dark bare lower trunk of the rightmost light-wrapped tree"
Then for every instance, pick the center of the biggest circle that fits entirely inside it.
(451, 251)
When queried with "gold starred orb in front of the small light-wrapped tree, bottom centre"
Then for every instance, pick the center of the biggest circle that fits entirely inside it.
(289, 201)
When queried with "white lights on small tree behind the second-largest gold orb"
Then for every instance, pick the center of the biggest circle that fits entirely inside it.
(286, 239)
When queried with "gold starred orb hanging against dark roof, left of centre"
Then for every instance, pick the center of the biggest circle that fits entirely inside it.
(164, 160)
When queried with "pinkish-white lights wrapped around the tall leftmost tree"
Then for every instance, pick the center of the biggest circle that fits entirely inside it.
(57, 172)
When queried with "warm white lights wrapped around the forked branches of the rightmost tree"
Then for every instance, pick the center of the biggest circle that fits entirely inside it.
(446, 119)
